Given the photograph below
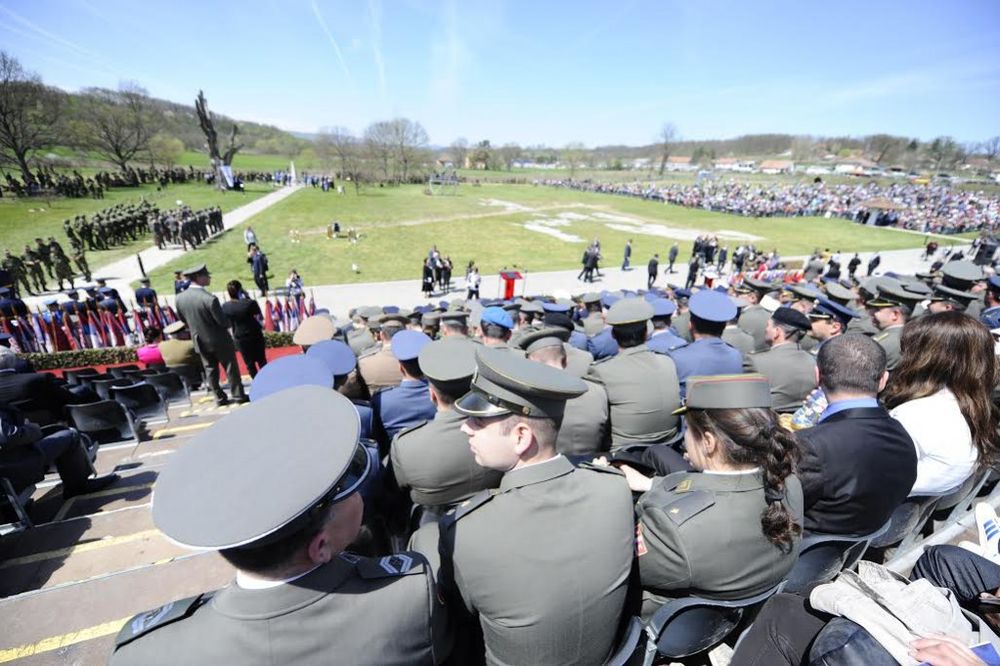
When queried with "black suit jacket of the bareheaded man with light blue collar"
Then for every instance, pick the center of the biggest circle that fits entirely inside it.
(857, 466)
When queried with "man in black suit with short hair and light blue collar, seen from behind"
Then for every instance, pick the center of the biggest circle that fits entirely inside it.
(858, 463)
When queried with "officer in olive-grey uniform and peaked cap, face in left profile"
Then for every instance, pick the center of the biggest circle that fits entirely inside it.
(561, 602)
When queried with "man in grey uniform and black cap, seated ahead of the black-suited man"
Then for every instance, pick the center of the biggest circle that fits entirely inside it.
(790, 371)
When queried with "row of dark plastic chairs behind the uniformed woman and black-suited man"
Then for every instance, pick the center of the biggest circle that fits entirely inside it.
(689, 628)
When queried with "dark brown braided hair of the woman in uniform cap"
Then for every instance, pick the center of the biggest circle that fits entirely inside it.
(752, 436)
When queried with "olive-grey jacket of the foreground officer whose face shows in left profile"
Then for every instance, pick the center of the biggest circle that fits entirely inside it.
(544, 562)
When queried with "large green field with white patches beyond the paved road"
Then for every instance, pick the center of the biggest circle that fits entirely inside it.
(399, 225)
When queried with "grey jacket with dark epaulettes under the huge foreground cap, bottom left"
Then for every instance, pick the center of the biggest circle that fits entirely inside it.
(351, 610)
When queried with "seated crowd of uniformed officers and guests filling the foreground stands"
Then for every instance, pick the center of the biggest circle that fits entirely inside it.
(511, 481)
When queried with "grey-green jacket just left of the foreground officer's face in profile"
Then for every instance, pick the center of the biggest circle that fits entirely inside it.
(433, 460)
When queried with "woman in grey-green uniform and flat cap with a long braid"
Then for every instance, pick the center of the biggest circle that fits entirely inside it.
(730, 529)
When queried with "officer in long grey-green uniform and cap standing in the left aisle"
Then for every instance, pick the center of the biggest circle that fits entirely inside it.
(202, 313)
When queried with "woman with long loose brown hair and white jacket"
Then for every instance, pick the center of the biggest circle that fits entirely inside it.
(941, 393)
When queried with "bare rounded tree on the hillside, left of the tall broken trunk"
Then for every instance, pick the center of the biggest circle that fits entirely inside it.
(117, 124)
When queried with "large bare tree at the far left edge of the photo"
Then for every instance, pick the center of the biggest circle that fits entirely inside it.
(30, 115)
